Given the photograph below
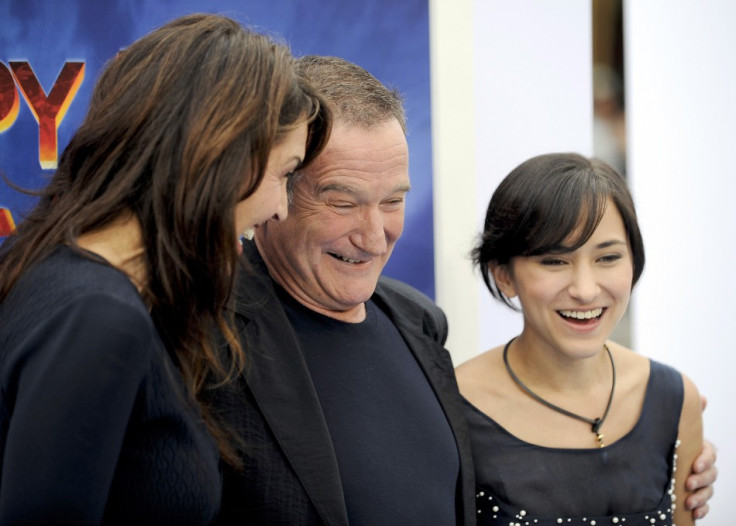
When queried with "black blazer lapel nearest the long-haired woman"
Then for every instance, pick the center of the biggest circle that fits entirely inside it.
(279, 380)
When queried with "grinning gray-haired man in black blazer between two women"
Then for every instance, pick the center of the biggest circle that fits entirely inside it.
(348, 407)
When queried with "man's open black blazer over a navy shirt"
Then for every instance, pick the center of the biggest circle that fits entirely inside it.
(290, 474)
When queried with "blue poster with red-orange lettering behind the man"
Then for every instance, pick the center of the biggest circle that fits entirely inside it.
(51, 53)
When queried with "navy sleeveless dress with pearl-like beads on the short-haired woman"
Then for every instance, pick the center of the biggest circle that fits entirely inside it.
(629, 482)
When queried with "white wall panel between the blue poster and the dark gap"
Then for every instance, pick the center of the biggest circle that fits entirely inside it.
(529, 66)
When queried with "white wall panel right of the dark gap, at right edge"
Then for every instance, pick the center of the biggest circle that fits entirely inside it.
(681, 117)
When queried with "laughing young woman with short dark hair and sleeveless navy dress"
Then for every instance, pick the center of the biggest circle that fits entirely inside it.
(568, 427)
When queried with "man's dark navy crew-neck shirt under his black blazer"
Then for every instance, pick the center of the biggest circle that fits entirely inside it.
(378, 407)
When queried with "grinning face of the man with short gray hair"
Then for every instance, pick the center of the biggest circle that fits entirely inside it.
(347, 213)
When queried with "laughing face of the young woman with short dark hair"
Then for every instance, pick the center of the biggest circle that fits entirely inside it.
(573, 301)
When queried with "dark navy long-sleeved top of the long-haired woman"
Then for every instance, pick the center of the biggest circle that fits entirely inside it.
(94, 427)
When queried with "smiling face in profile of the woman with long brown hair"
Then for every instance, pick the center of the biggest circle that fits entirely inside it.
(269, 200)
